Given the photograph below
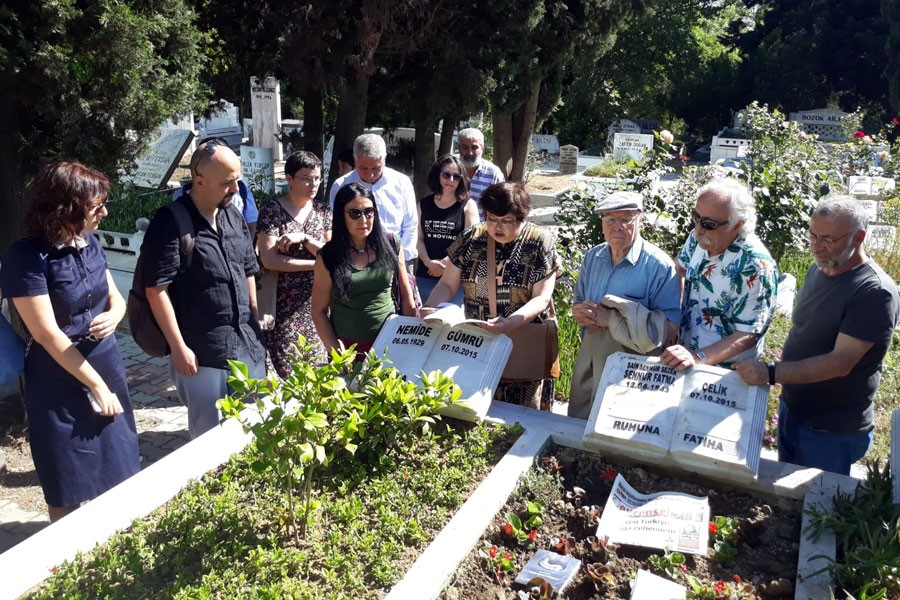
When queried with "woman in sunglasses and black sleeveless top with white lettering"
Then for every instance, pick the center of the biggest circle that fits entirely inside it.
(443, 215)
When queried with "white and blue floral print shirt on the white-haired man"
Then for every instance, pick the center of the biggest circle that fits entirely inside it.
(733, 291)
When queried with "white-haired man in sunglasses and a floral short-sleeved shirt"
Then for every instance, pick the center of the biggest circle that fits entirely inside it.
(730, 281)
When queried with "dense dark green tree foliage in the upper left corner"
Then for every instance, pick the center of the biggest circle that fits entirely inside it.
(88, 80)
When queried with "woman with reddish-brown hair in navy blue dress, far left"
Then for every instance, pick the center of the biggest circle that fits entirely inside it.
(60, 285)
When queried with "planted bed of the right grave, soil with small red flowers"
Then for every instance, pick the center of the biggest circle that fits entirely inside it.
(571, 488)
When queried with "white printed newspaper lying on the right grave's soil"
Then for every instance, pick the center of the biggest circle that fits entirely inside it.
(664, 520)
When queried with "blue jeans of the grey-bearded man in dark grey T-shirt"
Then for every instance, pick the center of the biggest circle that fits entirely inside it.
(802, 445)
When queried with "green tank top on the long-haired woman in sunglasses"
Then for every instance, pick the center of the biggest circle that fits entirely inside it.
(361, 316)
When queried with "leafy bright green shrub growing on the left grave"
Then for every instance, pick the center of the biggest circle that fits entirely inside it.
(302, 423)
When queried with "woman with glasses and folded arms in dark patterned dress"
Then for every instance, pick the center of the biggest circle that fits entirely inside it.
(292, 229)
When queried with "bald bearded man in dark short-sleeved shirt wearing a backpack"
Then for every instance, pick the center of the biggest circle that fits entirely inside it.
(205, 303)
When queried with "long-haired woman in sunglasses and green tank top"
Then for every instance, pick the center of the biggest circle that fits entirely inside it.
(354, 275)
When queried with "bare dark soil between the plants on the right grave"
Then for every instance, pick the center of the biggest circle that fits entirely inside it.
(767, 539)
